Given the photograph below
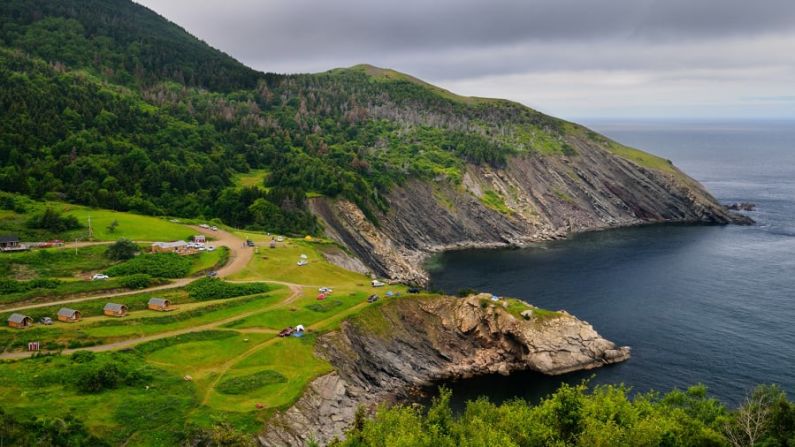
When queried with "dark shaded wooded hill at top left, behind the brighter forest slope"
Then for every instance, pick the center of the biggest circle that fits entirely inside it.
(124, 42)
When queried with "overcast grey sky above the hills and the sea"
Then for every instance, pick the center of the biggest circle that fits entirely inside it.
(571, 58)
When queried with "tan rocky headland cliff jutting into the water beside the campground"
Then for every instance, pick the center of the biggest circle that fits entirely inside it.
(391, 349)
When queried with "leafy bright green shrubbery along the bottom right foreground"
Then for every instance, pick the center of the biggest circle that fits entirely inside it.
(575, 416)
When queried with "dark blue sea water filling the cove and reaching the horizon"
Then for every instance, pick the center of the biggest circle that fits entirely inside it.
(698, 304)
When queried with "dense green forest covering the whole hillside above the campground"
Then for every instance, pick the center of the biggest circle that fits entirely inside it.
(107, 104)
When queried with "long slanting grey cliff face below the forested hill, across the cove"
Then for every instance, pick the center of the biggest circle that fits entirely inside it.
(533, 198)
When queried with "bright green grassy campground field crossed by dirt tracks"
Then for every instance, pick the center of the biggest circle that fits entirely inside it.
(239, 370)
